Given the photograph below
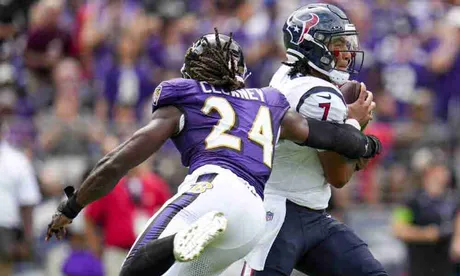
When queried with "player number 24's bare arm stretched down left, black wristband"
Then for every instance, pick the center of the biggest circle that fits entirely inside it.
(113, 166)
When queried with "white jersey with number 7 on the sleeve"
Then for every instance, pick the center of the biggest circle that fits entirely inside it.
(297, 172)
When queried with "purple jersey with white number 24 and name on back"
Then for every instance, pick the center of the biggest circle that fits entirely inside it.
(236, 130)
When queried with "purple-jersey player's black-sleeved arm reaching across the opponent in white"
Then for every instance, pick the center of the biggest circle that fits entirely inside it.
(341, 138)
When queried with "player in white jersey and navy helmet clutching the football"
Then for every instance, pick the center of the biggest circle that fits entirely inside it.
(322, 50)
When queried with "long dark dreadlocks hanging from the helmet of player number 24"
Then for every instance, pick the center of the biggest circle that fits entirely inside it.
(212, 65)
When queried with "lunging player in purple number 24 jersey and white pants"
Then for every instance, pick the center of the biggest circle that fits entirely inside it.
(226, 135)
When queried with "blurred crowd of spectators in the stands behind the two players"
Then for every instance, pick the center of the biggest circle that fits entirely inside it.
(76, 78)
